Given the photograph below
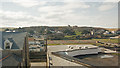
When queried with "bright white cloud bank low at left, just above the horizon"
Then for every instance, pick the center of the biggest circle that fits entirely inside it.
(21, 19)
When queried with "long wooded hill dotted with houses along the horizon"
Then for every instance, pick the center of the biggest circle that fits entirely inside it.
(66, 32)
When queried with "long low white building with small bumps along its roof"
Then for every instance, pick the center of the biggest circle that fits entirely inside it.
(83, 50)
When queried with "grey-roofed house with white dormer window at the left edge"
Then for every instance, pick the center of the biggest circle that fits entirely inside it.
(14, 49)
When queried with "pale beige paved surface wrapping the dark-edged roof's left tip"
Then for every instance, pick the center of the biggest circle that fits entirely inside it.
(57, 61)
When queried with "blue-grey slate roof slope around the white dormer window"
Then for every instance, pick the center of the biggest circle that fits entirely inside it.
(17, 38)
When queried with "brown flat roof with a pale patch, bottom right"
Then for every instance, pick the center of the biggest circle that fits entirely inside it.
(100, 59)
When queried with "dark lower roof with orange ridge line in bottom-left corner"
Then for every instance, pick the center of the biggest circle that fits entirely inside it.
(11, 58)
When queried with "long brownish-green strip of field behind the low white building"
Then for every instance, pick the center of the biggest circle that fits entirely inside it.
(76, 42)
